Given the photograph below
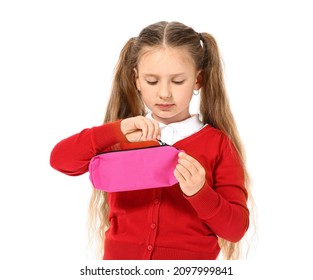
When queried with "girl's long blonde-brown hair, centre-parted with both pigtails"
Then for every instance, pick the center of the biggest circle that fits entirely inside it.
(125, 102)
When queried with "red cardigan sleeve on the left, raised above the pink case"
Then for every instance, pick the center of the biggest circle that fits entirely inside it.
(73, 154)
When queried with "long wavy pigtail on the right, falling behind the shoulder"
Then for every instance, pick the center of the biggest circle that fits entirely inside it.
(215, 110)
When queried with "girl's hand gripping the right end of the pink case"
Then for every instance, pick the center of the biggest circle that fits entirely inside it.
(190, 174)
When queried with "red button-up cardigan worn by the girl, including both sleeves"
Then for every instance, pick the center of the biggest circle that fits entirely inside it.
(163, 223)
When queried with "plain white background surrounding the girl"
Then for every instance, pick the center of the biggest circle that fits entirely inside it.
(56, 65)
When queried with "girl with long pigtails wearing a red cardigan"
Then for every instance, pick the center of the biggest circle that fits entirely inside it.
(161, 70)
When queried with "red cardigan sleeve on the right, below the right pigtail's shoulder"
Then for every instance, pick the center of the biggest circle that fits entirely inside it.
(222, 205)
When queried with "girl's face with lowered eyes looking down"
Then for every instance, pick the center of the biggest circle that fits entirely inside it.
(166, 79)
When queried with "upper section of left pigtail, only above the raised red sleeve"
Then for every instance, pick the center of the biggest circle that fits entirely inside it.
(124, 101)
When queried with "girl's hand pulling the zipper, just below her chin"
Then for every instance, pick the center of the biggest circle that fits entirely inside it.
(139, 129)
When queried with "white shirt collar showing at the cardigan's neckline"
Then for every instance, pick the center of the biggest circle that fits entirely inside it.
(174, 132)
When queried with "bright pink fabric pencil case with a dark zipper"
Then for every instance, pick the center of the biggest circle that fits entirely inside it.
(135, 169)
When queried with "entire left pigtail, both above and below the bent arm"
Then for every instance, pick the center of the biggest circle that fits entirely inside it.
(124, 102)
